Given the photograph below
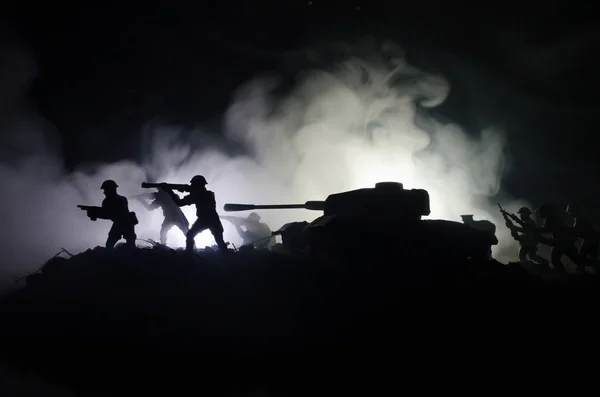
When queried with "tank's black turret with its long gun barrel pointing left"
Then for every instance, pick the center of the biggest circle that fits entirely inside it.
(387, 200)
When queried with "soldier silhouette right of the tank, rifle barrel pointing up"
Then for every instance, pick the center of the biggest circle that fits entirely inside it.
(529, 238)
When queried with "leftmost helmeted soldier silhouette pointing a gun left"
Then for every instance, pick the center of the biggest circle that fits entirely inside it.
(115, 208)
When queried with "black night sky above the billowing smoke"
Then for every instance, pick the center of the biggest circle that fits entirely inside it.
(104, 71)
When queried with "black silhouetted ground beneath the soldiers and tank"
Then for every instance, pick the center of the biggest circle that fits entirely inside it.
(160, 322)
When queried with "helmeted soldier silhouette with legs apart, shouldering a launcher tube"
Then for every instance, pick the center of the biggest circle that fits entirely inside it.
(206, 211)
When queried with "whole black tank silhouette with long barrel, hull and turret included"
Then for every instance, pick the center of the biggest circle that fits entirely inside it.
(382, 219)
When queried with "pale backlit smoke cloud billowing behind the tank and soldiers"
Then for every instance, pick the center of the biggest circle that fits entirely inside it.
(339, 128)
